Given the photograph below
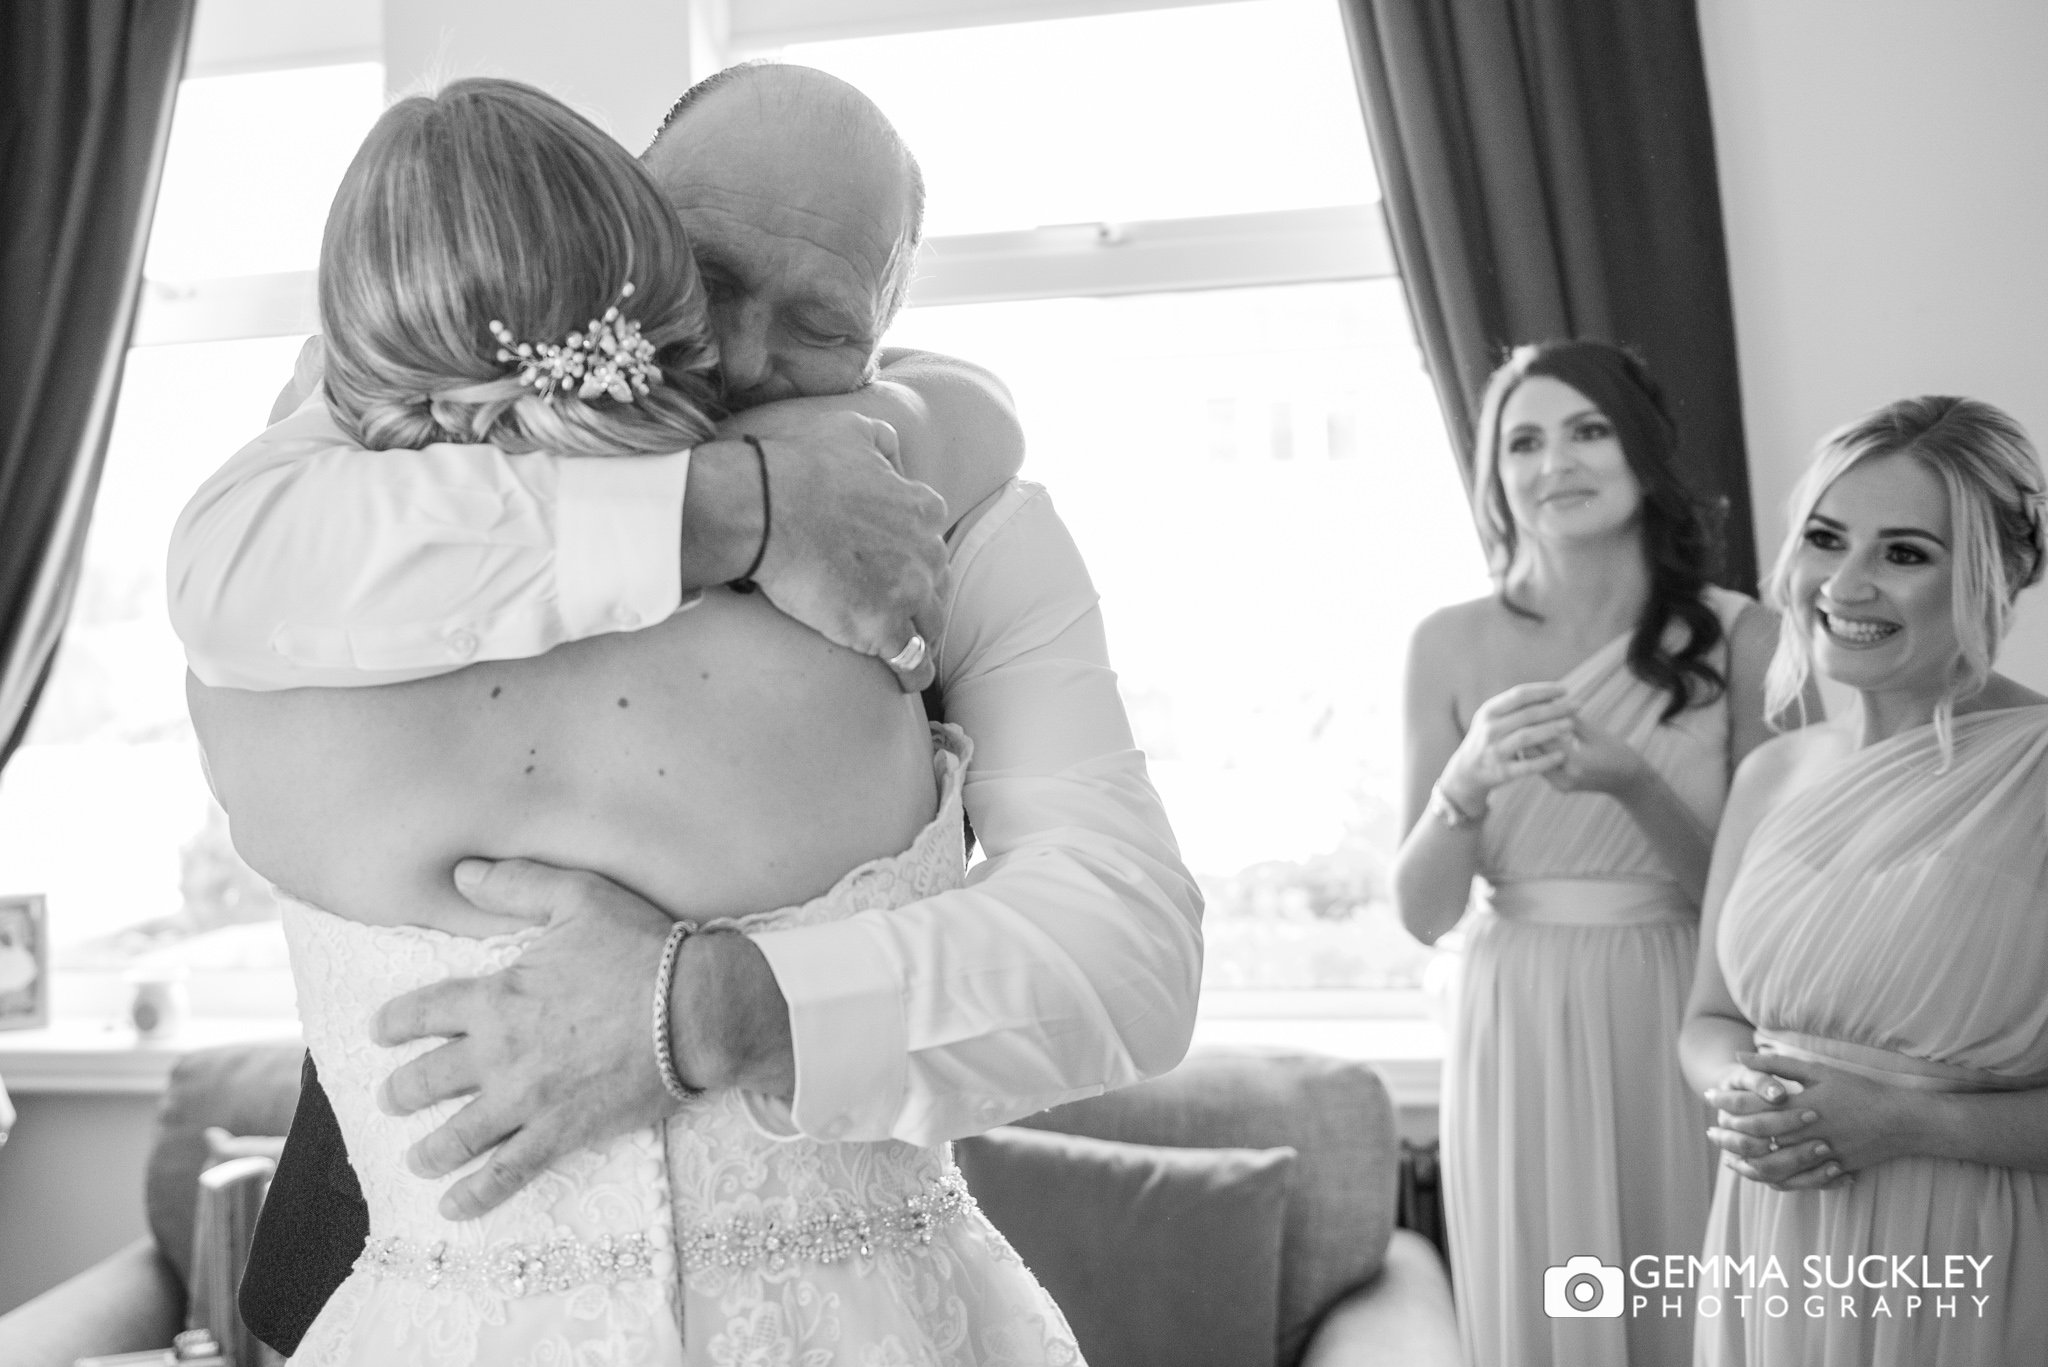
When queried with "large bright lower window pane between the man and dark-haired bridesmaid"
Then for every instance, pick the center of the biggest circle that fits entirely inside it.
(1267, 501)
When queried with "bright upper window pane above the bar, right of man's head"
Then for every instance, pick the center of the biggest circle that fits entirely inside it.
(1150, 116)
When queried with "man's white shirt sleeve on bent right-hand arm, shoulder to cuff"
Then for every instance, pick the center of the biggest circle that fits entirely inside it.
(1072, 960)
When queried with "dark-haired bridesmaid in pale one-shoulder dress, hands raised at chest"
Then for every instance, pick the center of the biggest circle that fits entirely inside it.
(1570, 741)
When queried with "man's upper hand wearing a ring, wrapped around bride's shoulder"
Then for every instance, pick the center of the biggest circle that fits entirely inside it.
(855, 550)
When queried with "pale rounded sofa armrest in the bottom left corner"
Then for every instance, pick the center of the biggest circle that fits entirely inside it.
(124, 1304)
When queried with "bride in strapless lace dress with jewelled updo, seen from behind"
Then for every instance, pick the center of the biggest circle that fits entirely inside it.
(497, 270)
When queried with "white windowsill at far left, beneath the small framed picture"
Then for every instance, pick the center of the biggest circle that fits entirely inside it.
(95, 1057)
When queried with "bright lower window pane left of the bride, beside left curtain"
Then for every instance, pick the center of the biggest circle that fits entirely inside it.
(105, 806)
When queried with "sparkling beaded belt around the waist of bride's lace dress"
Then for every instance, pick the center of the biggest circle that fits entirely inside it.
(826, 1233)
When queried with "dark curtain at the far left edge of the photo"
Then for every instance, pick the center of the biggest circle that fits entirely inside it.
(87, 91)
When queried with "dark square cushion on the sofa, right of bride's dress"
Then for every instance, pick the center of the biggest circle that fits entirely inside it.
(1162, 1257)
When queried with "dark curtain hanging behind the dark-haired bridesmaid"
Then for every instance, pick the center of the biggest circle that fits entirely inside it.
(1549, 171)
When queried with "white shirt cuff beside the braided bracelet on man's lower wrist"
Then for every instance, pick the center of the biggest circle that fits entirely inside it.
(847, 1028)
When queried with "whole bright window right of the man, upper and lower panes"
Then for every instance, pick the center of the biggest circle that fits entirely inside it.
(1222, 388)
